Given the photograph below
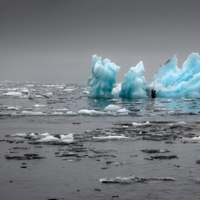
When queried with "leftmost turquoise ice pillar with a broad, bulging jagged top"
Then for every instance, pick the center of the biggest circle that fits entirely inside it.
(103, 78)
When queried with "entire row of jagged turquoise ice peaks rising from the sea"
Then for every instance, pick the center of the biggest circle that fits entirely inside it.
(169, 82)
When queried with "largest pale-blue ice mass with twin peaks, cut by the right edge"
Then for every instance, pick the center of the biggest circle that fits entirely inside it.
(172, 81)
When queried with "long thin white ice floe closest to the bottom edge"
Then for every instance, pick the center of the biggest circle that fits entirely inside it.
(133, 179)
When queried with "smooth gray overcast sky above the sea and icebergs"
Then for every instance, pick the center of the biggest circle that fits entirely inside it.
(54, 40)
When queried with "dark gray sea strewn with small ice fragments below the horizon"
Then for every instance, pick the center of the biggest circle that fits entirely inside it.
(149, 150)
